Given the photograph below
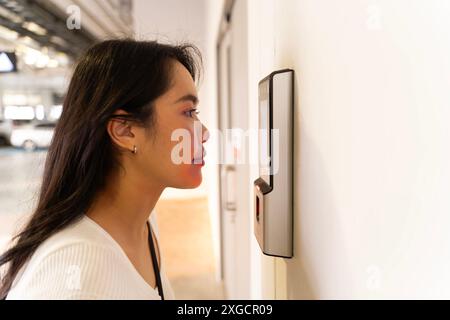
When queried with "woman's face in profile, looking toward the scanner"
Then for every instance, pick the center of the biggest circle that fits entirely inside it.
(172, 150)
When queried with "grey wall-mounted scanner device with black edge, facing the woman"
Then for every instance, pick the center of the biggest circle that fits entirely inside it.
(273, 199)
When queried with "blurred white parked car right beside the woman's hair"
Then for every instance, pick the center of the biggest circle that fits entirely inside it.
(32, 136)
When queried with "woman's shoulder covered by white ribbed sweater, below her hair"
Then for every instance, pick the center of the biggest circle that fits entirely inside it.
(78, 262)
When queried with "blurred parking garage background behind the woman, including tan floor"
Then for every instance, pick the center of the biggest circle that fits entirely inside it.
(39, 43)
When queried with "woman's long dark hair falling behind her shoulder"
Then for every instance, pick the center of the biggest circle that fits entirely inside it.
(115, 74)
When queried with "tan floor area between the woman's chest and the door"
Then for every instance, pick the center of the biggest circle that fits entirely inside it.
(185, 235)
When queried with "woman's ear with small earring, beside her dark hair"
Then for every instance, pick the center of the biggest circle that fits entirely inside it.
(121, 131)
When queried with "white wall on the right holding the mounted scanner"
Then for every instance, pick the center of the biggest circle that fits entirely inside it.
(372, 164)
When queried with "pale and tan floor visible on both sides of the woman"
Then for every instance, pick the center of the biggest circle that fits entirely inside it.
(185, 237)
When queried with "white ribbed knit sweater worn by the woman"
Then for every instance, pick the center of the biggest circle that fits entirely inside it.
(83, 261)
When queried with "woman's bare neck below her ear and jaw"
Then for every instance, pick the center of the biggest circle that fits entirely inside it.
(124, 206)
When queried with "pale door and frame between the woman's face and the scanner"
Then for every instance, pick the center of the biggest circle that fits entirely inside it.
(236, 262)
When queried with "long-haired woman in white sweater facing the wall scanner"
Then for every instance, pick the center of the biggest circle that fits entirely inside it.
(111, 157)
